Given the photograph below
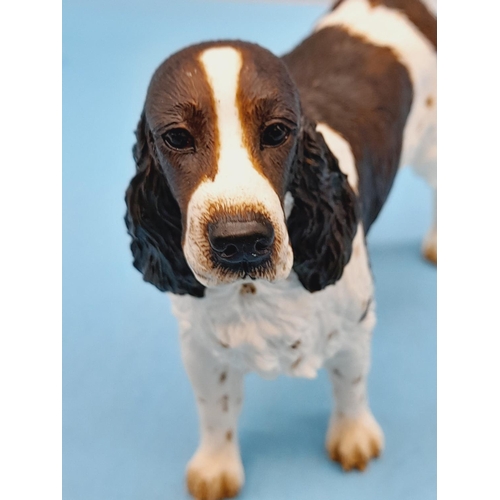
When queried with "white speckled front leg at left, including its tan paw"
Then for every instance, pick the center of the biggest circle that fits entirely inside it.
(216, 470)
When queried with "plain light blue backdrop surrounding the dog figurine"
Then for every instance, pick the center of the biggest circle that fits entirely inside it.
(129, 419)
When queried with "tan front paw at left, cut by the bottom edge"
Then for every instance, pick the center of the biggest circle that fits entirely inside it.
(215, 476)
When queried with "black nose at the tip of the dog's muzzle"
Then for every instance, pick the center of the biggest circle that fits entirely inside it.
(235, 242)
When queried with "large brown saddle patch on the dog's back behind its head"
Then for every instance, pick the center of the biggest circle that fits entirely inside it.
(363, 92)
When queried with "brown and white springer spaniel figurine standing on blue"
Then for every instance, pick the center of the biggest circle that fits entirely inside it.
(257, 180)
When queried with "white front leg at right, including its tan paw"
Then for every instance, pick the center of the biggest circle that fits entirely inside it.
(354, 436)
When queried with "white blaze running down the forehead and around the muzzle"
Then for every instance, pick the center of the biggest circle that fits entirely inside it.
(237, 186)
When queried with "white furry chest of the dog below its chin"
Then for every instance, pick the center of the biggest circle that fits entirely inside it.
(279, 328)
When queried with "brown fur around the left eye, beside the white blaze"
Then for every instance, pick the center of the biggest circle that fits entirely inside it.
(180, 96)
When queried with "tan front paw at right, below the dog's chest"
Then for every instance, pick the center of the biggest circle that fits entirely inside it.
(354, 441)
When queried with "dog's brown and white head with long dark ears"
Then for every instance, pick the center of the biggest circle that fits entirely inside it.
(221, 145)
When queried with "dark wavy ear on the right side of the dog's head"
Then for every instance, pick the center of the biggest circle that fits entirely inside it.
(323, 221)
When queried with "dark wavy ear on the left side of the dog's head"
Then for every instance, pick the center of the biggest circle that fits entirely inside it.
(154, 222)
